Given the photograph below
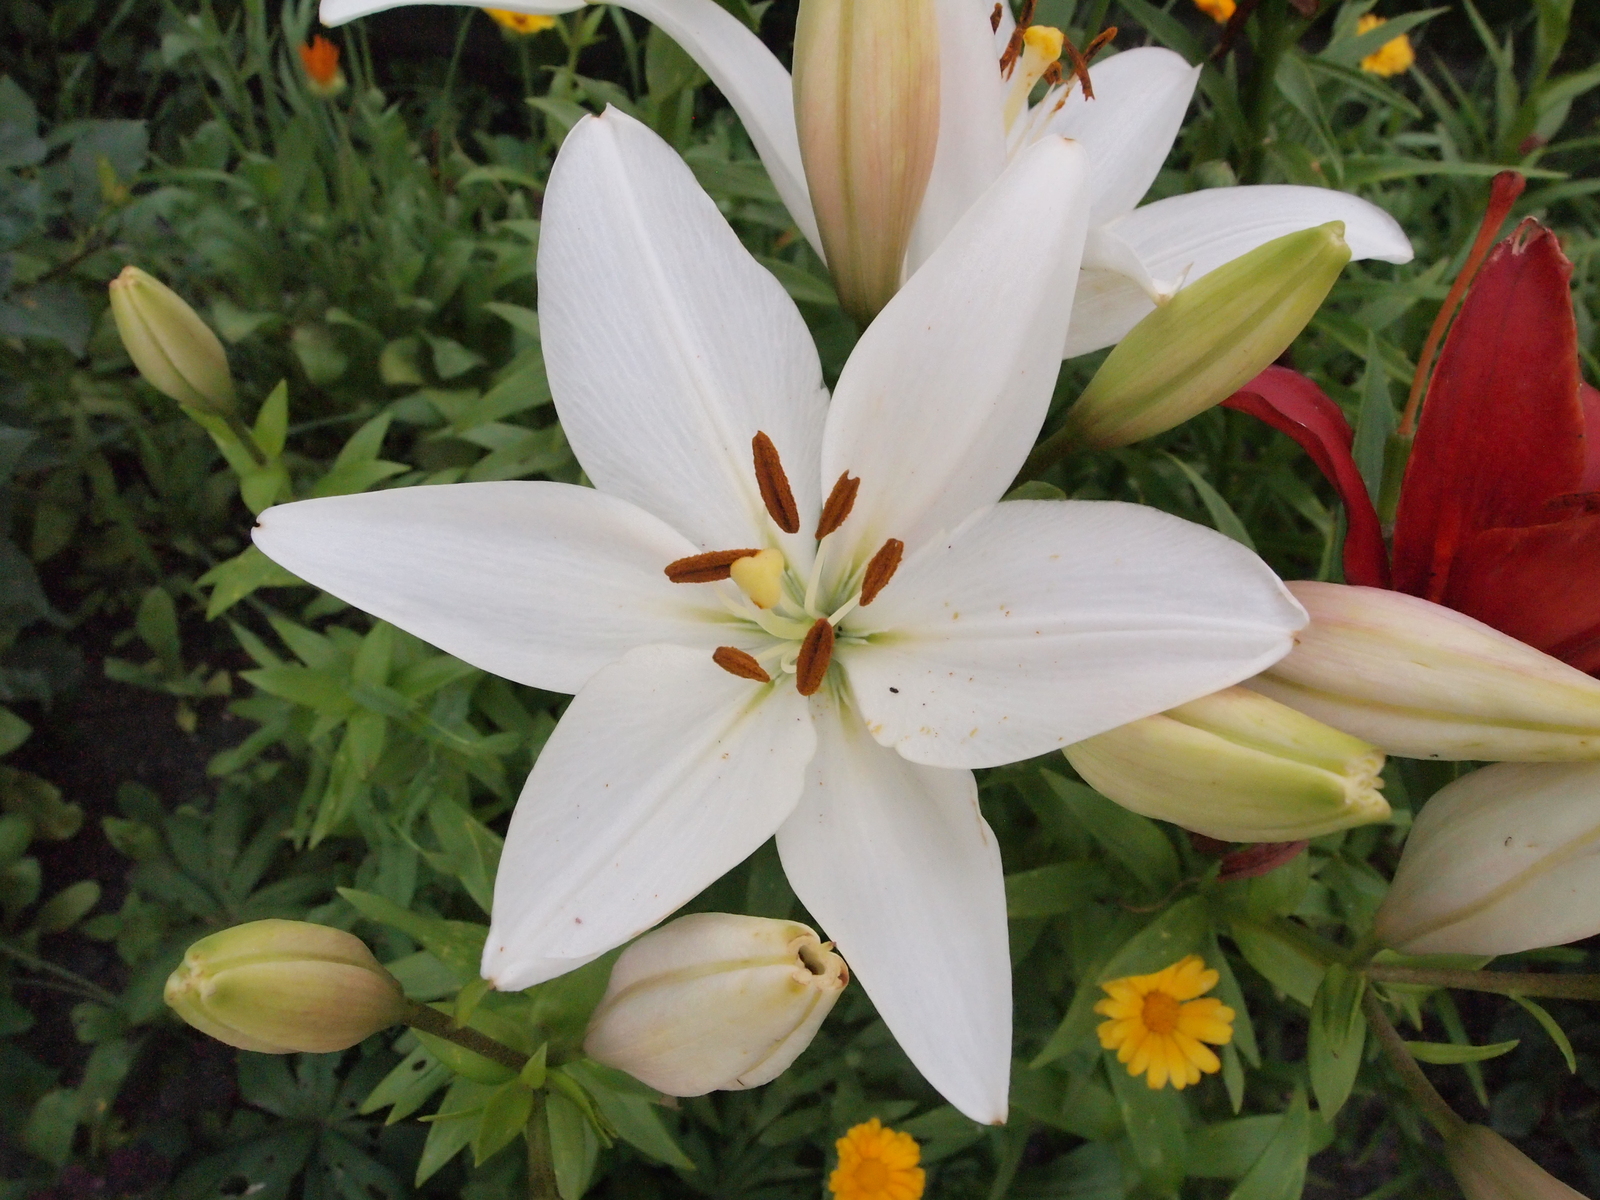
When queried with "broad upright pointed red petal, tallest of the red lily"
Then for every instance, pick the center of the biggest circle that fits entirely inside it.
(1503, 428)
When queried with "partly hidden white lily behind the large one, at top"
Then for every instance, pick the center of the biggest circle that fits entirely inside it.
(1135, 258)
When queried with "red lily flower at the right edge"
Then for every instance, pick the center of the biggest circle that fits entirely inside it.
(1500, 508)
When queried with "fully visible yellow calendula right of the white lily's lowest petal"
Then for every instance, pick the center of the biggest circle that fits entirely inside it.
(1159, 1028)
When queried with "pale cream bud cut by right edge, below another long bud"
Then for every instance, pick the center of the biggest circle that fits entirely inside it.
(1500, 862)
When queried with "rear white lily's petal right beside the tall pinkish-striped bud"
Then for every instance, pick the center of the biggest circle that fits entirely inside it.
(972, 132)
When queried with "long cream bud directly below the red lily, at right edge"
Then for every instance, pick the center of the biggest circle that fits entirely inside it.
(1426, 682)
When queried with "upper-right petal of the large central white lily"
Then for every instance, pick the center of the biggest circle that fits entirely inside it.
(948, 388)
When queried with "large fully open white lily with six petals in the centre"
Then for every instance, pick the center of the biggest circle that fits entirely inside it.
(738, 676)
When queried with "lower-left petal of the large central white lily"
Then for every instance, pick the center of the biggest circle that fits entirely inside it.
(665, 774)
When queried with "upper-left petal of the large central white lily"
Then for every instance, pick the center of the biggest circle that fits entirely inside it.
(668, 346)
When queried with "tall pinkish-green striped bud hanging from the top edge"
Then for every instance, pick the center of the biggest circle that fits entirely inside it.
(868, 113)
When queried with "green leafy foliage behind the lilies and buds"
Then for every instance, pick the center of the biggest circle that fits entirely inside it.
(190, 742)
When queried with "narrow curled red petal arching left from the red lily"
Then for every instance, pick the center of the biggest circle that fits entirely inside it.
(1295, 406)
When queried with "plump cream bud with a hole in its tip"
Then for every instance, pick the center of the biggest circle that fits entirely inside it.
(716, 1001)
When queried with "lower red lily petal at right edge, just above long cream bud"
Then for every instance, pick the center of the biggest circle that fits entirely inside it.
(1540, 583)
